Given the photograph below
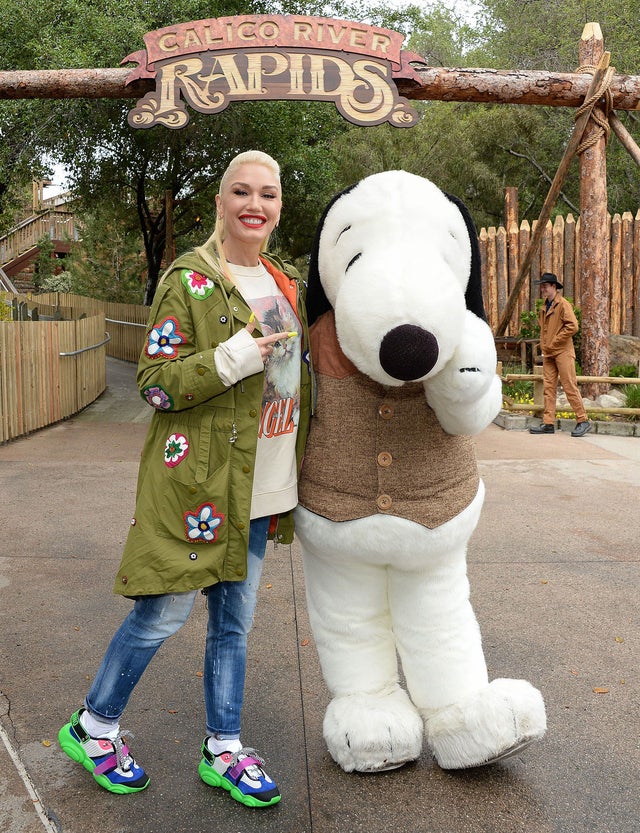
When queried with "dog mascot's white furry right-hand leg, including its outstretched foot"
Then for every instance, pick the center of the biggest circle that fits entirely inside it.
(469, 722)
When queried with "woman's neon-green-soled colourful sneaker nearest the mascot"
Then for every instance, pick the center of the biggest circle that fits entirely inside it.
(240, 773)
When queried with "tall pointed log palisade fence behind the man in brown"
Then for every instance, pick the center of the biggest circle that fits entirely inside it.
(501, 251)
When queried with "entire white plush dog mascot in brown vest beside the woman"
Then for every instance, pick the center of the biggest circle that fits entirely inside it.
(390, 492)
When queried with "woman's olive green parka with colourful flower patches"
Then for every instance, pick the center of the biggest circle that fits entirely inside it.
(193, 499)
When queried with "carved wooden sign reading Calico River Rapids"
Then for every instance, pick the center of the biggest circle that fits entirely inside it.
(209, 63)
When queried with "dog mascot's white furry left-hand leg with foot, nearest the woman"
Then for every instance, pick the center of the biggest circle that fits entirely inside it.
(370, 724)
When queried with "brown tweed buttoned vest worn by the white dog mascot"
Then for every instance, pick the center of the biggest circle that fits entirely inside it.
(375, 449)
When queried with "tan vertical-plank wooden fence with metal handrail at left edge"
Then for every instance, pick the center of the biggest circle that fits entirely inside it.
(49, 370)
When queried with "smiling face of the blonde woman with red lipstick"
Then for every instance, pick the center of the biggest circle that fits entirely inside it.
(250, 207)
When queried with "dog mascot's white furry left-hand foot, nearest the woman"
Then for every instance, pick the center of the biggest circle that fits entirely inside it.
(373, 733)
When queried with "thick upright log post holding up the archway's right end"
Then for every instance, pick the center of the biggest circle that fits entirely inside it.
(594, 248)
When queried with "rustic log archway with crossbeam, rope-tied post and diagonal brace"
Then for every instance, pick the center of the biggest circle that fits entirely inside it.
(595, 90)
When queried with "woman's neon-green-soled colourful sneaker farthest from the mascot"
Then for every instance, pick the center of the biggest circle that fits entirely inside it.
(107, 760)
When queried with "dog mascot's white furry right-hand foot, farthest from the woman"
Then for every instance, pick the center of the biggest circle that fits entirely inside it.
(489, 725)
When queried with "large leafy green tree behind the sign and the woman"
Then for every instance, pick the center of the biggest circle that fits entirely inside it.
(105, 156)
